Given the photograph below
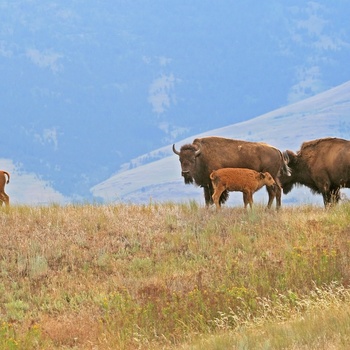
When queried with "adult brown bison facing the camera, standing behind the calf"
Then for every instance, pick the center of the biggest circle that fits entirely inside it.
(206, 154)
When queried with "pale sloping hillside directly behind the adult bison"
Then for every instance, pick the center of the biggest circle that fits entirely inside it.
(156, 175)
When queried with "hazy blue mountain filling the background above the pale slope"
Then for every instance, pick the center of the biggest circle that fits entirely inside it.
(87, 86)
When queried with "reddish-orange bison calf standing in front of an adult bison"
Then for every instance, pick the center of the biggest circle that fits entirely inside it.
(239, 179)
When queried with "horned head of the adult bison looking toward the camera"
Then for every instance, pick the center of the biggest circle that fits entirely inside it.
(187, 156)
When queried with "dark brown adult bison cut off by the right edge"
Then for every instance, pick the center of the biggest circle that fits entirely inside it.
(323, 165)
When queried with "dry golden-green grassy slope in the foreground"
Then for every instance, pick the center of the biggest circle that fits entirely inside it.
(174, 276)
